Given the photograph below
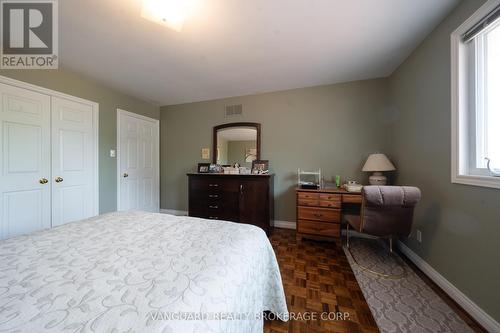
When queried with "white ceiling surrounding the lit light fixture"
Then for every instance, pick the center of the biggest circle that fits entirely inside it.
(240, 47)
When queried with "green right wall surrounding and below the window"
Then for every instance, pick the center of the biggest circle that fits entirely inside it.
(460, 224)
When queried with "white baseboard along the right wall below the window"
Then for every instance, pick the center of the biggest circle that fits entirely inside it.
(490, 324)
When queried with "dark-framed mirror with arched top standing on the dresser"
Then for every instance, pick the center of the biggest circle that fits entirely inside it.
(236, 143)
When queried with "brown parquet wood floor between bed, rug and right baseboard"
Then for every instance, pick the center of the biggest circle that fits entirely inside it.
(317, 278)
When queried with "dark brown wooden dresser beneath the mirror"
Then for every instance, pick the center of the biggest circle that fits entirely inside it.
(237, 198)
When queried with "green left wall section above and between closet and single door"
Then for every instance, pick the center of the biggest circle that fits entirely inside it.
(109, 100)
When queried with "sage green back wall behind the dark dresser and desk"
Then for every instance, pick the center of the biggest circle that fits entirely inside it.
(332, 127)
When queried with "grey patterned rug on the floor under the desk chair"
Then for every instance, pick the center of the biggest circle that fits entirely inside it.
(404, 305)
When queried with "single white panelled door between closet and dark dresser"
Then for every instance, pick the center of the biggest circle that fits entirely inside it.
(138, 162)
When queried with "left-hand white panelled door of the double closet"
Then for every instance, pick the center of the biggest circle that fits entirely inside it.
(25, 161)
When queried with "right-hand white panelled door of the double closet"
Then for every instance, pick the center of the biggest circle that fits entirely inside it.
(73, 161)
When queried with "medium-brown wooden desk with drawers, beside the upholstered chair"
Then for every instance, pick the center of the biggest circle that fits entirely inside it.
(319, 212)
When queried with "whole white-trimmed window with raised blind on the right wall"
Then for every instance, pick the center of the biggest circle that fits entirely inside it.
(476, 98)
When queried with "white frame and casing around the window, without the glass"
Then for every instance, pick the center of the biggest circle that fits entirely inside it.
(463, 154)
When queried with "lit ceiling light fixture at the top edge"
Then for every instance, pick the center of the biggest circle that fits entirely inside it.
(170, 13)
